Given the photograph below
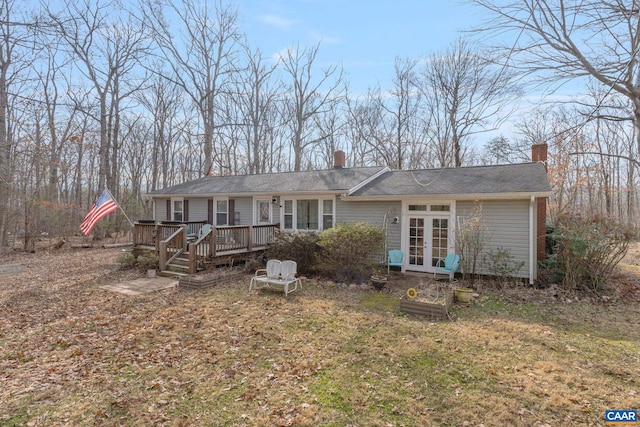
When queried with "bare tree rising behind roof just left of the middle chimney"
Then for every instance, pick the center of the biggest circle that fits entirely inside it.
(308, 97)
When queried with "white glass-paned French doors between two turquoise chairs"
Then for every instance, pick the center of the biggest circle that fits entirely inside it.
(427, 242)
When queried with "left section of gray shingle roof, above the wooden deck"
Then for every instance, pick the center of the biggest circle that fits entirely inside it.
(285, 182)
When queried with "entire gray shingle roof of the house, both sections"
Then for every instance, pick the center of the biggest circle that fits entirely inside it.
(524, 178)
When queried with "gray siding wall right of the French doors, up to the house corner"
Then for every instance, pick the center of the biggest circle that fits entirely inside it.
(507, 224)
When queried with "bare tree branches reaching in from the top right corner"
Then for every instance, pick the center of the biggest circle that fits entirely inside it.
(558, 40)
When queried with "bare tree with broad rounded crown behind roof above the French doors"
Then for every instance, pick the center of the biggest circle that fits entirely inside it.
(467, 91)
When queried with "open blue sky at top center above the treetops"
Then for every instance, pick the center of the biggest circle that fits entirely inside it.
(364, 36)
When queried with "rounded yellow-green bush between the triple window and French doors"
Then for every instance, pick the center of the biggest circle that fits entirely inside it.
(348, 251)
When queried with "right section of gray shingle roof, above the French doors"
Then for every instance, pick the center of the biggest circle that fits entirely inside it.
(515, 178)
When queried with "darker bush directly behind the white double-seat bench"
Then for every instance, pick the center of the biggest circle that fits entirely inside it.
(299, 247)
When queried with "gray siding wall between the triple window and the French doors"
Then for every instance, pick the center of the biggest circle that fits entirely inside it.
(373, 213)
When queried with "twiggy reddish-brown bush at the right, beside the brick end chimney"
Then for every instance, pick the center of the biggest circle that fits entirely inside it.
(587, 250)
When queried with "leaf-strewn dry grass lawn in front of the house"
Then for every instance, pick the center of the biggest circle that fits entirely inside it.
(72, 353)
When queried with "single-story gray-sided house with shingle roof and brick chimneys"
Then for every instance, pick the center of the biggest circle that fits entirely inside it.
(419, 209)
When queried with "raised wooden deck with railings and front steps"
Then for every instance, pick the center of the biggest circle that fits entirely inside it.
(175, 242)
